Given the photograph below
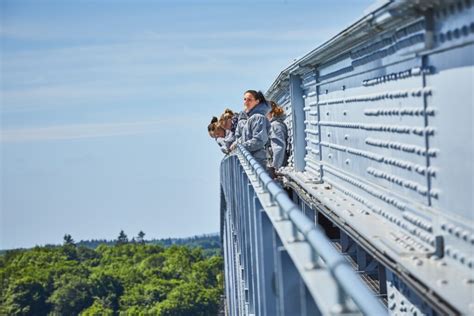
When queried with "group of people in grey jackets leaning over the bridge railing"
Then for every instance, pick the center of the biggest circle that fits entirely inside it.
(259, 128)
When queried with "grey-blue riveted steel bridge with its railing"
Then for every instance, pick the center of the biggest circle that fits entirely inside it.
(375, 214)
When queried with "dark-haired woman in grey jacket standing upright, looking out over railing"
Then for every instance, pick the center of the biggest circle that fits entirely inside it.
(255, 131)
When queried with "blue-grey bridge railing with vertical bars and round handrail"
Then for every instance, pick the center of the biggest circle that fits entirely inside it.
(277, 261)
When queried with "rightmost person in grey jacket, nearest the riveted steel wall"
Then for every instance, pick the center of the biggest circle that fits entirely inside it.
(278, 138)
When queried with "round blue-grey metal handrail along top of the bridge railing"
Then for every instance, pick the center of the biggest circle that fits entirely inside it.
(349, 282)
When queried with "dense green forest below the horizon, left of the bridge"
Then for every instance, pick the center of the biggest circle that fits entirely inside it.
(136, 277)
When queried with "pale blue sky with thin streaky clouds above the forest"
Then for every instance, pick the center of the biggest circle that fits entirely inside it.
(104, 107)
